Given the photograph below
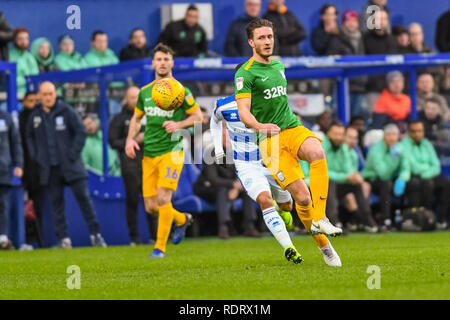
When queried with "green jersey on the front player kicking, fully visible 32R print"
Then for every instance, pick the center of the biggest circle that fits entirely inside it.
(266, 85)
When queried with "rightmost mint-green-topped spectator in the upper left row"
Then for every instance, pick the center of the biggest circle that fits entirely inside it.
(99, 55)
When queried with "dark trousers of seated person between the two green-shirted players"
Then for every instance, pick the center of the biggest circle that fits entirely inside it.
(224, 205)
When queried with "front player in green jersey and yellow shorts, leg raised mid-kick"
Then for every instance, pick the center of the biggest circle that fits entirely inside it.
(260, 88)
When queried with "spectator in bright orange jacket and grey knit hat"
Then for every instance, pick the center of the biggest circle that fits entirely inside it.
(393, 106)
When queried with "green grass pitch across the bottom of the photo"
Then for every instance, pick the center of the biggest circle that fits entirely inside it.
(412, 266)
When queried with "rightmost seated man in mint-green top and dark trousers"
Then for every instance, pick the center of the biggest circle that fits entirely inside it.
(426, 180)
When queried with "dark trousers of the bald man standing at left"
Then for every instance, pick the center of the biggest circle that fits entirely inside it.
(81, 192)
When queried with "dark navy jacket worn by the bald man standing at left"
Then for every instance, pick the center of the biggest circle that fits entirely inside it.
(70, 136)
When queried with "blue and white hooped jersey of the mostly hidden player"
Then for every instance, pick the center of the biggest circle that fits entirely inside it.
(243, 139)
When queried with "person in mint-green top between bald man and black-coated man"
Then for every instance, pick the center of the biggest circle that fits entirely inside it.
(92, 153)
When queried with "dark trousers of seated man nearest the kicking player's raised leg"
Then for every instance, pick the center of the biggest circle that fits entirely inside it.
(337, 191)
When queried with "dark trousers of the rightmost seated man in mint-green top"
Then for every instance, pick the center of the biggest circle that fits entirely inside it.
(422, 192)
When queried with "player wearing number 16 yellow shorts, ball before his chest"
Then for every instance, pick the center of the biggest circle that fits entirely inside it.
(163, 160)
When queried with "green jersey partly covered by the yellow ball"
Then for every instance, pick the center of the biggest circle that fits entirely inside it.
(156, 140)
